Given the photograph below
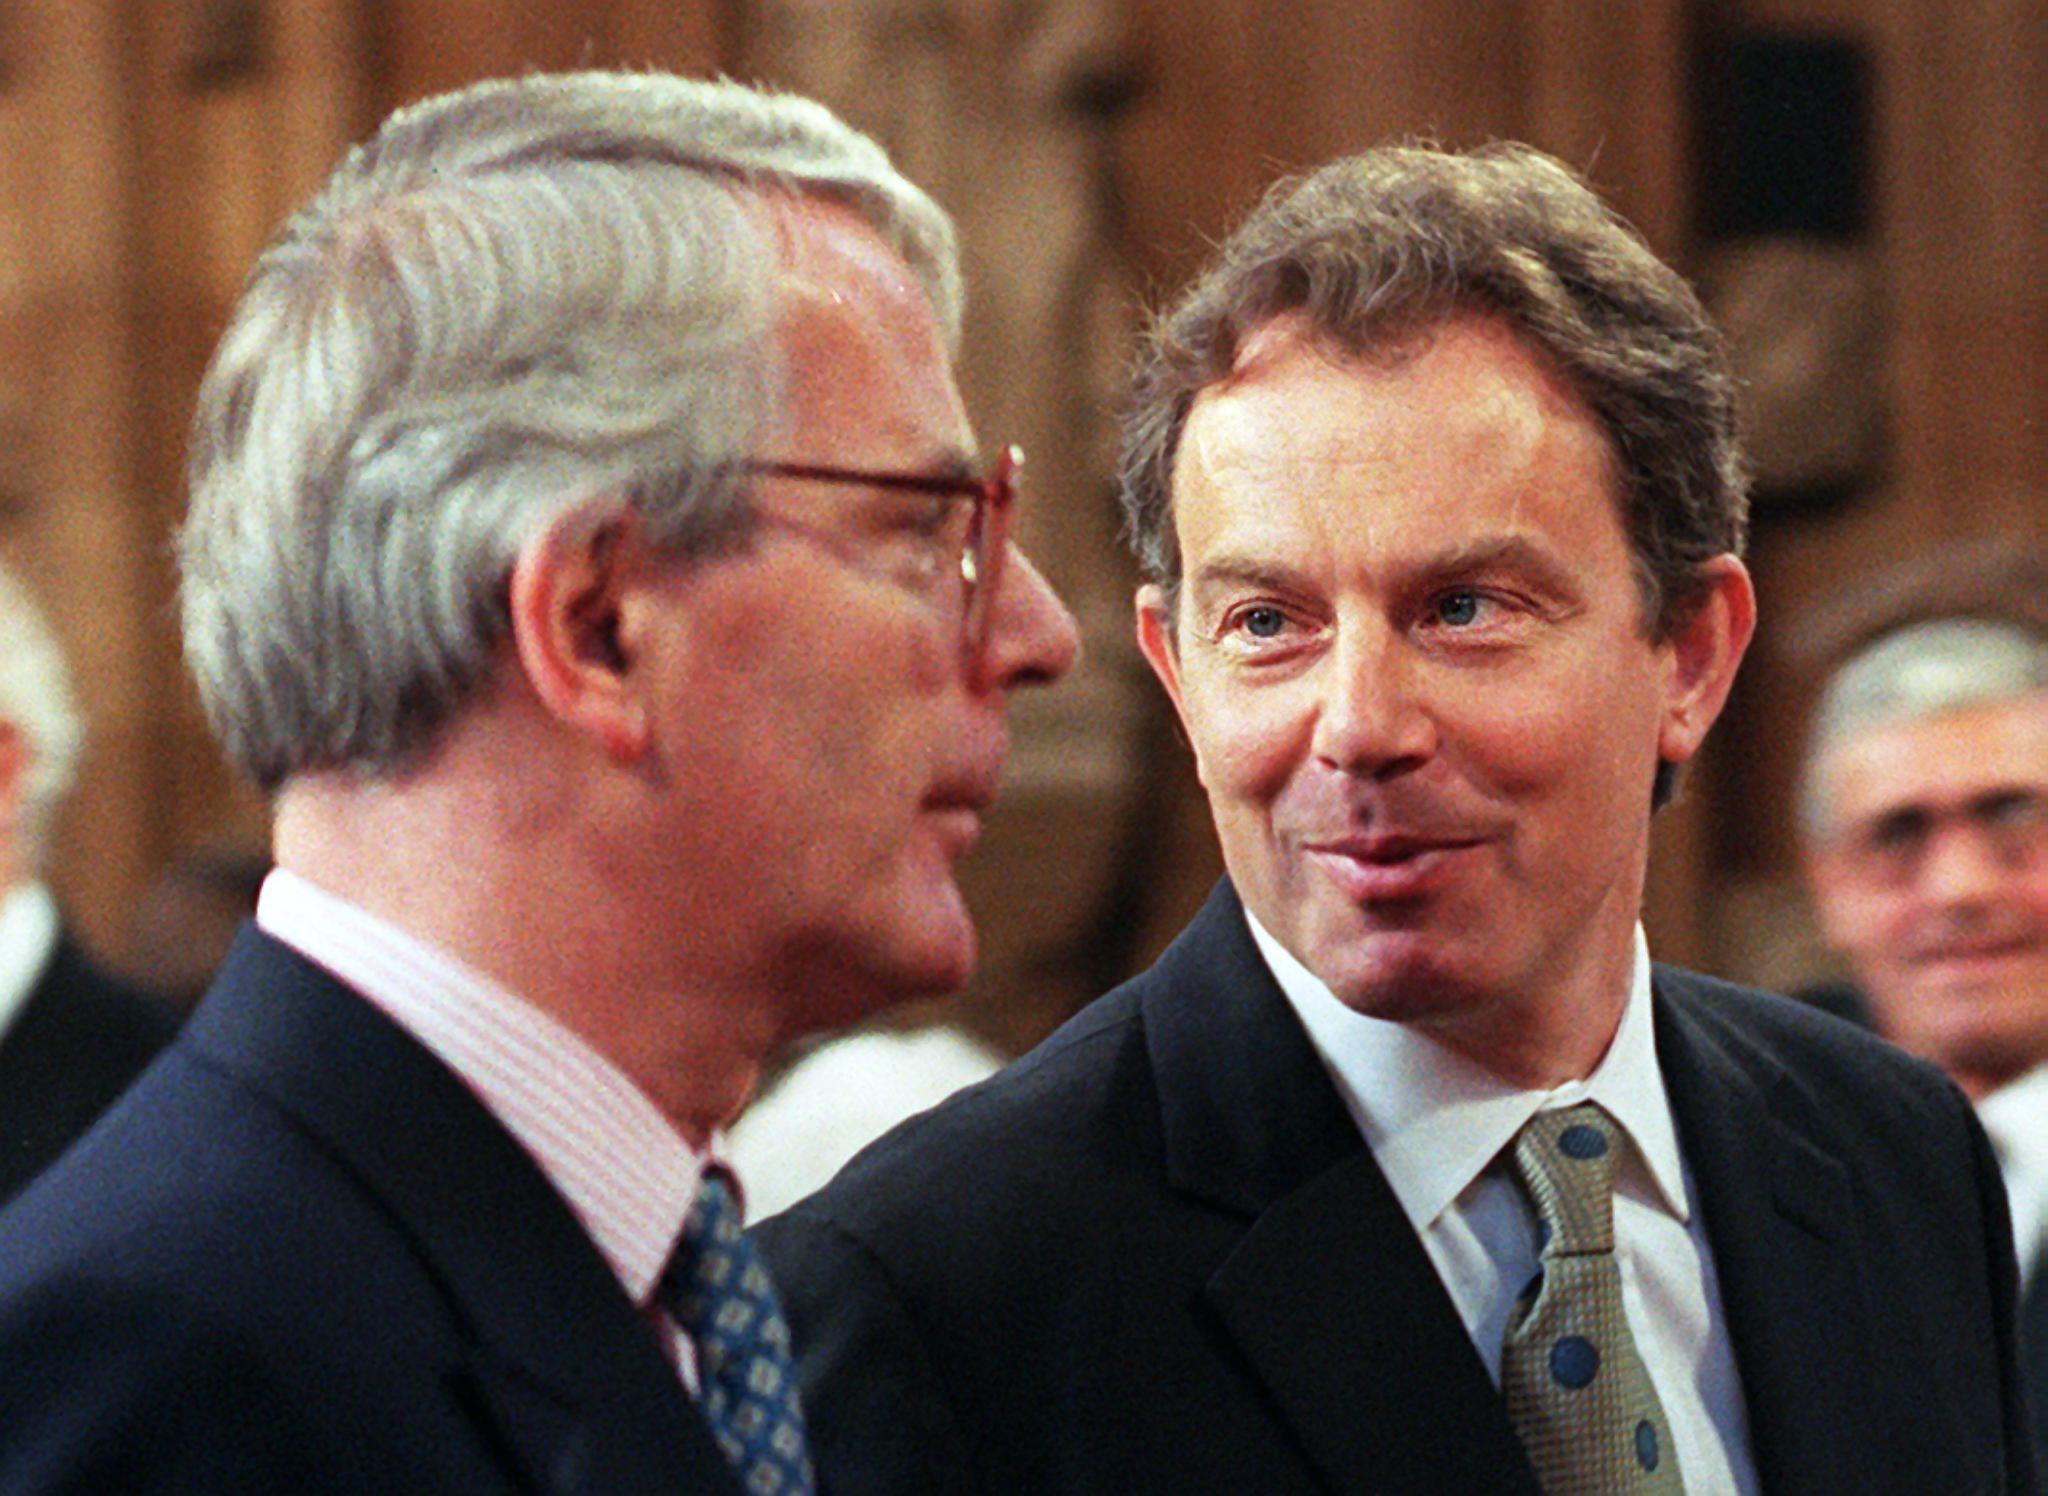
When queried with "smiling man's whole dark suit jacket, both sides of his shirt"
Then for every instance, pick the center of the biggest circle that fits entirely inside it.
(1158, 1257)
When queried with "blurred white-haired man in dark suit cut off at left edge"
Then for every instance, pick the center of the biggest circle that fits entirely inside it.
(71, 1036)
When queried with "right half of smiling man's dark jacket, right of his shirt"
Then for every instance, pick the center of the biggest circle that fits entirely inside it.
(1861, 1239)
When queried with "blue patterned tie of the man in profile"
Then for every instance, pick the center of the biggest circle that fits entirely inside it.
(720, 1294)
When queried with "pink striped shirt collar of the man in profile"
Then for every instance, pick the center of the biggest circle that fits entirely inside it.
(626, 1173)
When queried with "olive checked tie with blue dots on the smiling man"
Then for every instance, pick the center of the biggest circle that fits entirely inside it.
(1576, 1386)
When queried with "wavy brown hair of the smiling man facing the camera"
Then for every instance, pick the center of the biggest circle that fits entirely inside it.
(1379, 249)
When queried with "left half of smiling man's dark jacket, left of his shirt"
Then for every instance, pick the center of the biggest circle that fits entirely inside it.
(1152, 1255)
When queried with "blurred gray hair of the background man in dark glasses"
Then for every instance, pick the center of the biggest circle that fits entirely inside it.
(1914, 673)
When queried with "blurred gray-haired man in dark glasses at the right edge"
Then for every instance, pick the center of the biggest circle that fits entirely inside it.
(1924, 819)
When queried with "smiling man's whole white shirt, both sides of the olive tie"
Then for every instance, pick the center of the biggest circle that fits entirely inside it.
(1439, 1126)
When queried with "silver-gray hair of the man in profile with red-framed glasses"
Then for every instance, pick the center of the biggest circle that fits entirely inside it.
(517, 302)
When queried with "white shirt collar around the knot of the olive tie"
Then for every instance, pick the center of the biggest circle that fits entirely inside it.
(1435, 1120)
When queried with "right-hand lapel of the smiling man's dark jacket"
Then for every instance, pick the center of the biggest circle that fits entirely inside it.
(1775, 1208)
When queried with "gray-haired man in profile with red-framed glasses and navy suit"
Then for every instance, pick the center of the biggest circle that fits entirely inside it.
(589, 554)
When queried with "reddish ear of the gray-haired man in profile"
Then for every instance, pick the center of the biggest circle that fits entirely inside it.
(568, 601)
